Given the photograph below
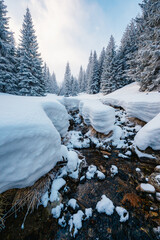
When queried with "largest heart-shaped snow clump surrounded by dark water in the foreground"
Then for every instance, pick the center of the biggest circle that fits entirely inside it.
(105, 206)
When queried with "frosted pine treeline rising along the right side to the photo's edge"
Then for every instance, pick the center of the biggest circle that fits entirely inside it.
(136, 59)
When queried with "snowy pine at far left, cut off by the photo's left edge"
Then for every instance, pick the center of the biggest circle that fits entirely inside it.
(8, 82)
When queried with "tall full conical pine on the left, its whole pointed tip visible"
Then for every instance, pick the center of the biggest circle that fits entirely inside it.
(30, 70)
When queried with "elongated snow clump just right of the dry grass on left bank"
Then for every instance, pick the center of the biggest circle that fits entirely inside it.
(56, 186)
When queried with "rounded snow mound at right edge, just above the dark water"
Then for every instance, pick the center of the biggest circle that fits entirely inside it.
(149, 135)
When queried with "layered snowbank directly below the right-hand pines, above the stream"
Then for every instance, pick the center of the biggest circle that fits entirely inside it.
(141, 105)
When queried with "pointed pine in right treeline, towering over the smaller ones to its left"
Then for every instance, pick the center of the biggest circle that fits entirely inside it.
(108, 82)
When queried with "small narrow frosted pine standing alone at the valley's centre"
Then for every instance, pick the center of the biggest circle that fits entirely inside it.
(67, 81)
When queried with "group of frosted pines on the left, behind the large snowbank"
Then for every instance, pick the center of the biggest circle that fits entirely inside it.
(22, 71)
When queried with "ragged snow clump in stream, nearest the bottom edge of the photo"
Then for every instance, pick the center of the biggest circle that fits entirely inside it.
(75, 222)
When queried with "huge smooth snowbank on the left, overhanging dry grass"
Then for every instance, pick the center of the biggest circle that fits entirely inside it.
(30, 144)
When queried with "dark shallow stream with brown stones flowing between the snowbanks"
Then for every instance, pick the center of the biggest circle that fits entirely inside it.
(121, 189)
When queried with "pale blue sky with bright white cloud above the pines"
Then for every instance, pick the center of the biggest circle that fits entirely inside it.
(67, 30)
